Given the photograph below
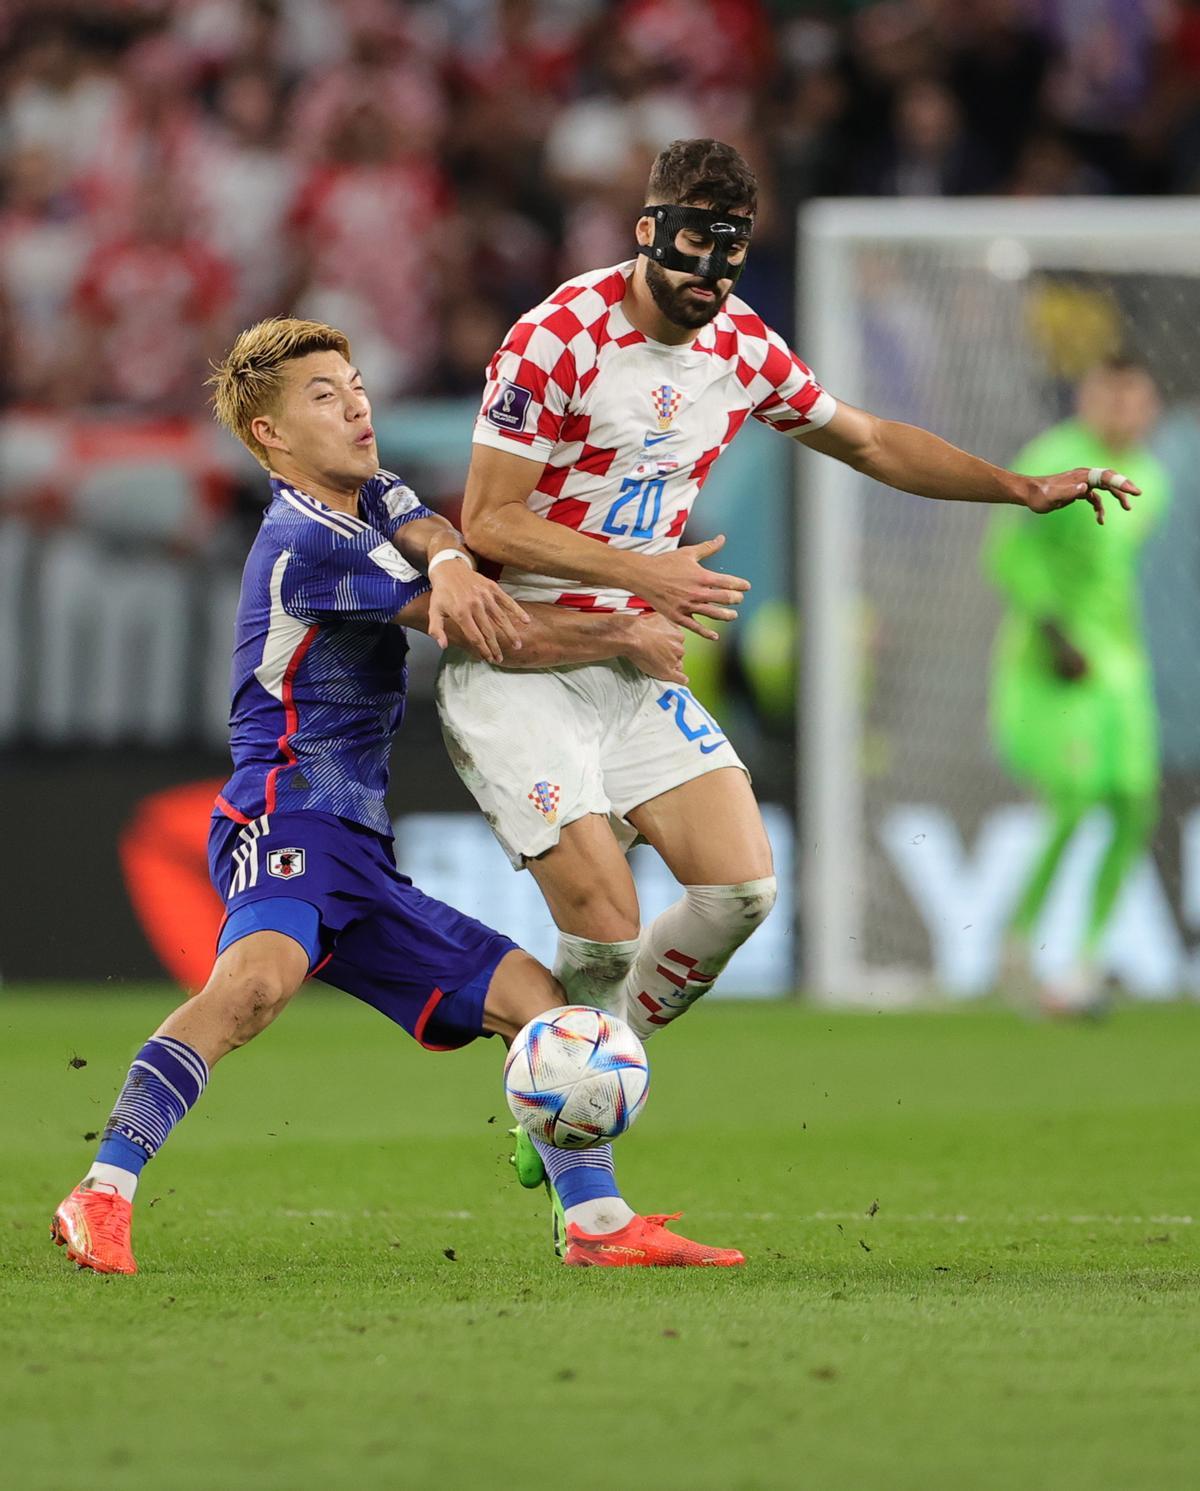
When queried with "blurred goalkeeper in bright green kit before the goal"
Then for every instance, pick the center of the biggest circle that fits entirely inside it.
(1073, 699)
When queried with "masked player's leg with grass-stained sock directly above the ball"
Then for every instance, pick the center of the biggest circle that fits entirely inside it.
(594, 901)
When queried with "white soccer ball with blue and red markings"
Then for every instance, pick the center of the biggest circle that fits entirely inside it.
(576, 1077)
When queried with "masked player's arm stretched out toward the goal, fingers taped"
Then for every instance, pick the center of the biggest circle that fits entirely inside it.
(915, 460)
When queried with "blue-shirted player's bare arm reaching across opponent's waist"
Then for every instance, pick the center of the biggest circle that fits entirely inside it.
(557, 636)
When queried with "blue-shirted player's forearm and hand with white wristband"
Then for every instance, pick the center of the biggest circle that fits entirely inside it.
(479, 612)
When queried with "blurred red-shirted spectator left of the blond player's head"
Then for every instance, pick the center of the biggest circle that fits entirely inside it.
(153, 309)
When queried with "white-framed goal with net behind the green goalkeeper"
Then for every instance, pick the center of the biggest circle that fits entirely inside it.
(976, 320)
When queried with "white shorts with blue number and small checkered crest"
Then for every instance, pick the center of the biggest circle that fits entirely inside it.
(540, 749)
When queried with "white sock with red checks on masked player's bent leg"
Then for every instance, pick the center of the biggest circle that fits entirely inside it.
(685, 949)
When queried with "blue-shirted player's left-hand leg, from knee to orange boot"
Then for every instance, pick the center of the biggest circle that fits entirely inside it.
(251, 983)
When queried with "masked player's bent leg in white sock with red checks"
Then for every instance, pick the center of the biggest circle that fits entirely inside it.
(712, 837)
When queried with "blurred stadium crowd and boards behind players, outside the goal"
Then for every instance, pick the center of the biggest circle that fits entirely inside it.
(420, 175)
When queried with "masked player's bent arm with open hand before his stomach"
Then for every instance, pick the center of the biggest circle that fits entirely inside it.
(500, 527)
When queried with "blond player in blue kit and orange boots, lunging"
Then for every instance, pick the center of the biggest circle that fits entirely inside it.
(300, 846)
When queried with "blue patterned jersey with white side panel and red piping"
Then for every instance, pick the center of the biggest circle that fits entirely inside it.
(318, 670)
